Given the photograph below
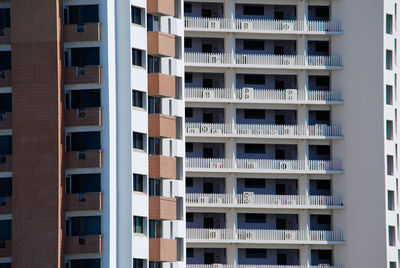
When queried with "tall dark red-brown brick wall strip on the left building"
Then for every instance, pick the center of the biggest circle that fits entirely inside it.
(37, 133)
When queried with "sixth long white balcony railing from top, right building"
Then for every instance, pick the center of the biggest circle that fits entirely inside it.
(249, 199)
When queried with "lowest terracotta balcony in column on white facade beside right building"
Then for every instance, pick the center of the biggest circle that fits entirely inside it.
(161, 249)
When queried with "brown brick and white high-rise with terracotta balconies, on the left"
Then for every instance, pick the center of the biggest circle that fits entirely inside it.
(91, 134)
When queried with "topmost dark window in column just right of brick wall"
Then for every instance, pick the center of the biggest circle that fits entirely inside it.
(82, 14)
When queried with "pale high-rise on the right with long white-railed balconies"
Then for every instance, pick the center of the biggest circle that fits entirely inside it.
(291, 133)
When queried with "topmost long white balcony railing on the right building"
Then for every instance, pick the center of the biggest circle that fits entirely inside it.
(252, 25)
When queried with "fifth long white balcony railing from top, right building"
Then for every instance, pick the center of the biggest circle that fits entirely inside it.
(224, 165)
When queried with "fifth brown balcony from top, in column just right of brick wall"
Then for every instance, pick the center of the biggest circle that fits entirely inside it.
(84, 201)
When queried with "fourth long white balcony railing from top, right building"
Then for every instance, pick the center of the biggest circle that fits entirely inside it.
(300, 131)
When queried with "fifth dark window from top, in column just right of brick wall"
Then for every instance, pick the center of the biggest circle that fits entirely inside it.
(81, 183)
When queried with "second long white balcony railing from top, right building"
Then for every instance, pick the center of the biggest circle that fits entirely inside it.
(262, 61)
